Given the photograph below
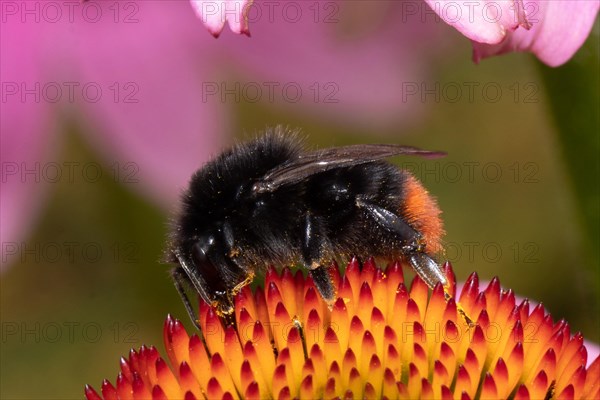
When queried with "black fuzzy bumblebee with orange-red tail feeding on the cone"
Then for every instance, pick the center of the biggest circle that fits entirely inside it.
(269, 201)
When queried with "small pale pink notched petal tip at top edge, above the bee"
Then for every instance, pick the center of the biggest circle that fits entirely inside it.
(214, 14)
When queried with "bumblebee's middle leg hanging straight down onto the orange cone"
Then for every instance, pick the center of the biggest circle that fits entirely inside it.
(313, 247)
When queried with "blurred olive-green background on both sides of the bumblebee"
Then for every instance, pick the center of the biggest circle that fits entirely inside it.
(509, 202)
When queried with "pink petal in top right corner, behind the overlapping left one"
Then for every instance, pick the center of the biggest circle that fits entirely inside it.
(558, 29)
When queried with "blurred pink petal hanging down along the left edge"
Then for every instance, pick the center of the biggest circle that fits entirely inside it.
(25, 125)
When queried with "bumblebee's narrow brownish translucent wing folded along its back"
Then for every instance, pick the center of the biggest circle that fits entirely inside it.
(319, 161)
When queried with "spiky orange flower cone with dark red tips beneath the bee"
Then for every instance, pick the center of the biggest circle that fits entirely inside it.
(379, 340)
